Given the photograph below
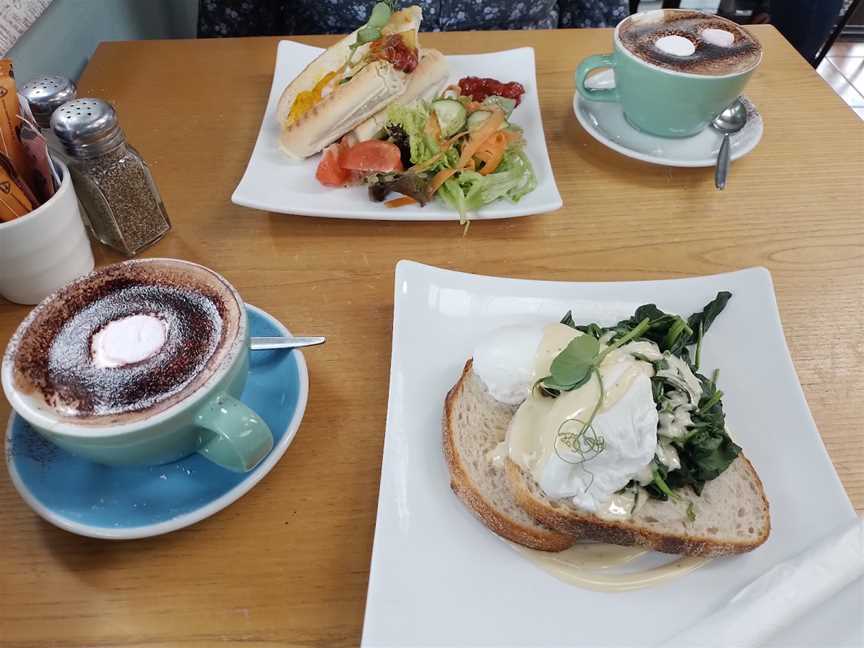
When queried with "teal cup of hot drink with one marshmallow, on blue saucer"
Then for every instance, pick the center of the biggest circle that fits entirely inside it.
(204, 346)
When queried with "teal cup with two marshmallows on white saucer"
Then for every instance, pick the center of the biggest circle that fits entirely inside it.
(658, 99)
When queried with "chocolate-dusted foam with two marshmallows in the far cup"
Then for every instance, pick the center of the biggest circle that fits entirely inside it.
(719, 46)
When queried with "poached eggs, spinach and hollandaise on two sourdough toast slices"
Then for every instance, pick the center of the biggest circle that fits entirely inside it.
(562, 433)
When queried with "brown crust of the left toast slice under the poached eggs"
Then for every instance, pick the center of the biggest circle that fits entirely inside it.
(469, 493)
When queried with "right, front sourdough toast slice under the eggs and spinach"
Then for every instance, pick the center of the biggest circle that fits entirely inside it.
(731, 515)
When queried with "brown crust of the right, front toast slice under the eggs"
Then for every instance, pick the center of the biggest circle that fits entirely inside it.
(567, 519)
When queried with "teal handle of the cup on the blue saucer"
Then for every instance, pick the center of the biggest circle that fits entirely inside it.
(238, 439)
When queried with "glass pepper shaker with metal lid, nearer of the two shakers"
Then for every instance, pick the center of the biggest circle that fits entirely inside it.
(122, 204)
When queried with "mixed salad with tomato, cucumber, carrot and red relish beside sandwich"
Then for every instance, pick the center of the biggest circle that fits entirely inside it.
(461, 147)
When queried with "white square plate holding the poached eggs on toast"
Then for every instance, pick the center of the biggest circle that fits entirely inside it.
(440, 578)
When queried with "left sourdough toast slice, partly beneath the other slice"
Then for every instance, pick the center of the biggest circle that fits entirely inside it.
(474, 424)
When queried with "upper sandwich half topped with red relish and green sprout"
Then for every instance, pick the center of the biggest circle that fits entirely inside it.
(350, 81)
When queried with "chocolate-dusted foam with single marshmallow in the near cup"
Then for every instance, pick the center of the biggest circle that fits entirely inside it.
(63, 357)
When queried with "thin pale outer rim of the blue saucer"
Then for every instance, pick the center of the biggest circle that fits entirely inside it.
(192, 517)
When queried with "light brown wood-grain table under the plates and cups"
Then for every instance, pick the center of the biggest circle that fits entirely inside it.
(288, 563)
